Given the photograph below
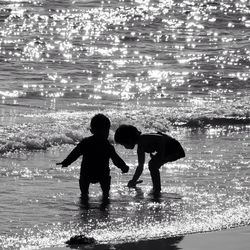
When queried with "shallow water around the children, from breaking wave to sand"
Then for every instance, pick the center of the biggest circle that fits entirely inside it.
(206, 191)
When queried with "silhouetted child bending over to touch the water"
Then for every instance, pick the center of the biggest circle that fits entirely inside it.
(161, 147)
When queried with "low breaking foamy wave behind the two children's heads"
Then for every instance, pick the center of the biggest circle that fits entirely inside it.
(44, 130)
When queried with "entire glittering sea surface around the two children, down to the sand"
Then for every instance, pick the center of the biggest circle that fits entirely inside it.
(179, 67)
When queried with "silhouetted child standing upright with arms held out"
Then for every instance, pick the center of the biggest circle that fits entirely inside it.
(96, 151)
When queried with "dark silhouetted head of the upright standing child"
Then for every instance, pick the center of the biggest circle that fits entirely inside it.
(100, 125)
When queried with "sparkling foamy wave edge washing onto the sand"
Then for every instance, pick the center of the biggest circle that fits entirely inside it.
(127, 231)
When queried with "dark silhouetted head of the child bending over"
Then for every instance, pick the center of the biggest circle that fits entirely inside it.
(127, 135)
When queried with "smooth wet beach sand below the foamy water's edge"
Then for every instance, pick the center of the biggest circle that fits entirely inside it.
(231, 239)
